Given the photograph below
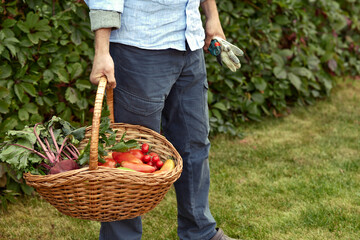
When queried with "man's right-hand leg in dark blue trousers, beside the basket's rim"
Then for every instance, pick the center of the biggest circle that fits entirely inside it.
(185, 125)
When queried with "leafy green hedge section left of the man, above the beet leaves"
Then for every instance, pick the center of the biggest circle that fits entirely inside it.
(45, 52)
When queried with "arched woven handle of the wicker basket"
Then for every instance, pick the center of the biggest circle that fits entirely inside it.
(93, 162)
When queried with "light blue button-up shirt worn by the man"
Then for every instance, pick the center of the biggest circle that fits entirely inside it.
(156, 24)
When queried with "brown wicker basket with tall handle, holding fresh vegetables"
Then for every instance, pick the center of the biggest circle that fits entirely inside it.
(109, 194)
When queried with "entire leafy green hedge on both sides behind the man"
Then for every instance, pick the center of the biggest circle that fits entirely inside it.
(293, 51)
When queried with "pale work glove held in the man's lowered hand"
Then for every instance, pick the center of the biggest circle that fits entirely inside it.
(229, 53)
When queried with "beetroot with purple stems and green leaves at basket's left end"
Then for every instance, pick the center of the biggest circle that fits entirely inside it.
(47, 148)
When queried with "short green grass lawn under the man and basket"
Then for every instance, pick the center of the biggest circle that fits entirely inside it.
(295, 177)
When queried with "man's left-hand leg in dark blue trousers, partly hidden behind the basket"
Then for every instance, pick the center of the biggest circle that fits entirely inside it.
(144, 79)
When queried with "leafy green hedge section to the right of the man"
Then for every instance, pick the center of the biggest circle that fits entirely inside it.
(293, 52)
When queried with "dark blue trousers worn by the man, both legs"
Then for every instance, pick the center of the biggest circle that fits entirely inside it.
(167, 90)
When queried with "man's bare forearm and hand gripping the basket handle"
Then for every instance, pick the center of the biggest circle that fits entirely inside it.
(103, 64)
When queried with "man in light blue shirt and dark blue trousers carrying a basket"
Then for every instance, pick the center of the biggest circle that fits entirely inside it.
(151, 53)
